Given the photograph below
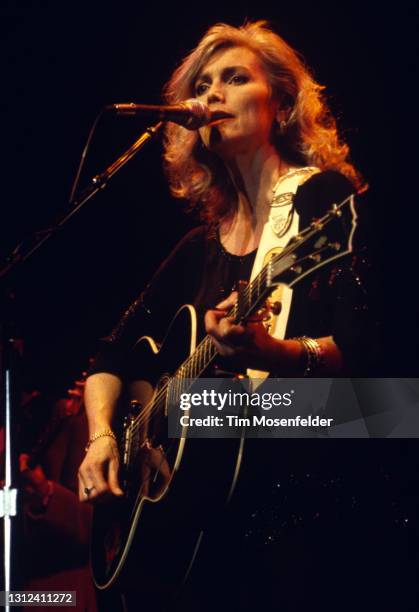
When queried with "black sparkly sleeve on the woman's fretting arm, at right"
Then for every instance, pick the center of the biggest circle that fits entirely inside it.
(337, 300)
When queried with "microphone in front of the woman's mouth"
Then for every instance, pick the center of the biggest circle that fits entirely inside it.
(191, 114)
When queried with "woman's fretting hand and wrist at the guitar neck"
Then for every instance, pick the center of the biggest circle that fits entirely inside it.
(250, 344)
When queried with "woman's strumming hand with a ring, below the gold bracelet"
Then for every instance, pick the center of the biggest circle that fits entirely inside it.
(98, 474)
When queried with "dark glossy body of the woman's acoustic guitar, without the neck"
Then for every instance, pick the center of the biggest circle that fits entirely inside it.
(174, 488)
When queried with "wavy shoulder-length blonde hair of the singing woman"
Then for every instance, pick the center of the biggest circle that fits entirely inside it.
(310, 136)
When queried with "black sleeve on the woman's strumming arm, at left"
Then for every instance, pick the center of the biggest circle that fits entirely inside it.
(171, 286)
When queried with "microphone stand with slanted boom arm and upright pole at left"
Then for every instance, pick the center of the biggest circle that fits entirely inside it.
(9, 344)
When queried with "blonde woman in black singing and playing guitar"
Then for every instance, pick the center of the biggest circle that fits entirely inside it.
(270, 161)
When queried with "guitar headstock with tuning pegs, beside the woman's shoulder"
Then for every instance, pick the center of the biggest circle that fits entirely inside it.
(325, 240)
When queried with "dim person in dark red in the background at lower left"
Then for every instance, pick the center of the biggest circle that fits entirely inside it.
(55, 549)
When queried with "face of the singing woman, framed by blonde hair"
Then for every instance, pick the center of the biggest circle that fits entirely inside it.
(234, 81)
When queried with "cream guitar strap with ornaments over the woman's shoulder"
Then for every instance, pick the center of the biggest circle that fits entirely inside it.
(282, 225)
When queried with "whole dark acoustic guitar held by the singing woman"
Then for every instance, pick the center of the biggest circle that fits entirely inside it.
(175, 488)
